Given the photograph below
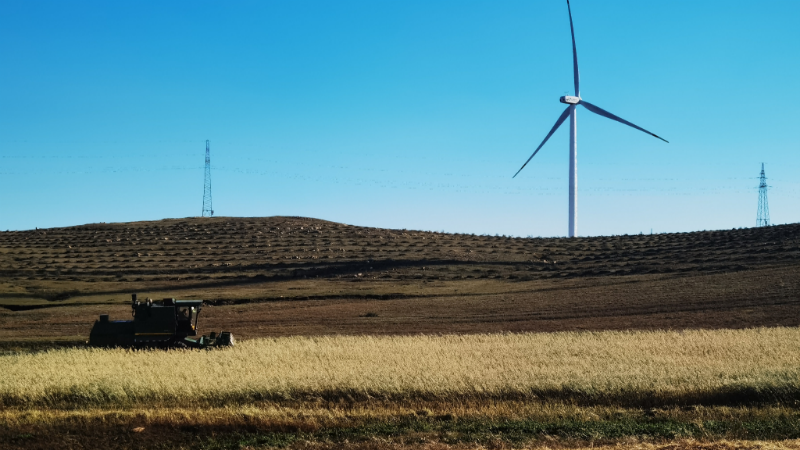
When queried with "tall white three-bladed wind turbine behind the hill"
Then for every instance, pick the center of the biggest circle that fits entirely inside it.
(571, 112)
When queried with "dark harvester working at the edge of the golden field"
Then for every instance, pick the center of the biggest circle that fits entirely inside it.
(162, 323)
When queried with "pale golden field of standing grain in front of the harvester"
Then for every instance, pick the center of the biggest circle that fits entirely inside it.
(650, 368)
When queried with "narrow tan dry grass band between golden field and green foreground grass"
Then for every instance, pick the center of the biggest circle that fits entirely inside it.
(315, 415)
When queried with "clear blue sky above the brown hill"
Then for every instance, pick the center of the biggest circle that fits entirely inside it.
(400, 114)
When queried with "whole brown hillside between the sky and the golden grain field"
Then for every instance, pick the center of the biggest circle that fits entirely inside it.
(286, 275)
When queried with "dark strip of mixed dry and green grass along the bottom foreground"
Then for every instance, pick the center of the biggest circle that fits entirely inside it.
(433, 425)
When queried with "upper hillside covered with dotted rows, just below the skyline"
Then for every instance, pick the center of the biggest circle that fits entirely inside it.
(282, 247)
